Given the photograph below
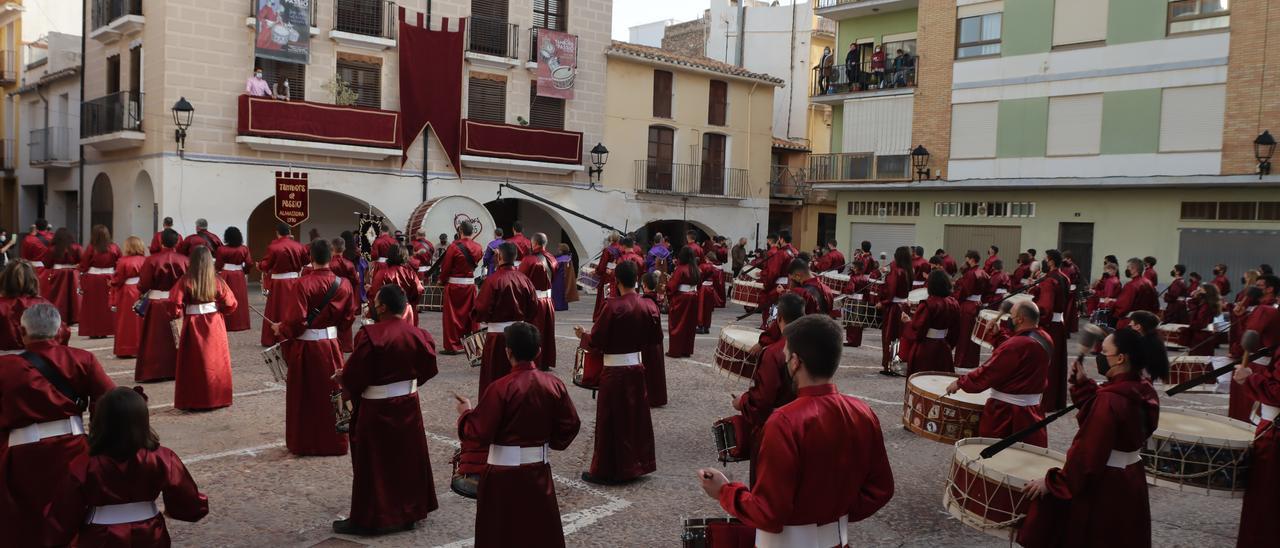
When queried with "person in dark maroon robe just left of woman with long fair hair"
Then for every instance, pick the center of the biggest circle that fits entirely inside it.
(158, 353)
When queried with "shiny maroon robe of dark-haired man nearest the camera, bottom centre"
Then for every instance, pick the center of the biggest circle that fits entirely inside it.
(822, 459)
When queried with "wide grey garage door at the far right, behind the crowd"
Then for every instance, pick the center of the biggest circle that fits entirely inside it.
(1200, 249)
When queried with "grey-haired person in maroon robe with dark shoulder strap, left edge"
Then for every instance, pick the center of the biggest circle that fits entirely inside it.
(43, 460)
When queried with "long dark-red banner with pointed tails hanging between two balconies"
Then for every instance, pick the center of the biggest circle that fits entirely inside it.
(431, 72)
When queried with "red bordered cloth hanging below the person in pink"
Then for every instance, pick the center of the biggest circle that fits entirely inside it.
(303, 121)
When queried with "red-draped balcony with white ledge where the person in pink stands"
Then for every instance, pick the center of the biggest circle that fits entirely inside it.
(321, 130)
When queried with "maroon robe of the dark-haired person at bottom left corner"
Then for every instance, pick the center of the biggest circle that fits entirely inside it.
(143, 478)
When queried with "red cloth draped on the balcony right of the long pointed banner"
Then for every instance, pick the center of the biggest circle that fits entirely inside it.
(520, 143)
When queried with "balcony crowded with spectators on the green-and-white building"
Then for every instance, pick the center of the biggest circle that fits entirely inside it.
(836, 84)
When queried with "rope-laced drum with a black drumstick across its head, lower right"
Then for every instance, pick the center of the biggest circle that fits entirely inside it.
(988, 494)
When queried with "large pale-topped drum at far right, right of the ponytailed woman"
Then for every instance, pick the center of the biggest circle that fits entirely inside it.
(1199, 453)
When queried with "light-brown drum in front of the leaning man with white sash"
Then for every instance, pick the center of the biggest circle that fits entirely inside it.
(947, 419)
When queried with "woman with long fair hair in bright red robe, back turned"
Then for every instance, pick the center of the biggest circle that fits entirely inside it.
(204, 369)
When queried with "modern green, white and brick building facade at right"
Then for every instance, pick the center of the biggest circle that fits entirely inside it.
(1103, 127)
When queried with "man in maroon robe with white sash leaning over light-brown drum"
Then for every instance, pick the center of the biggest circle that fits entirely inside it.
(1016, 373)
